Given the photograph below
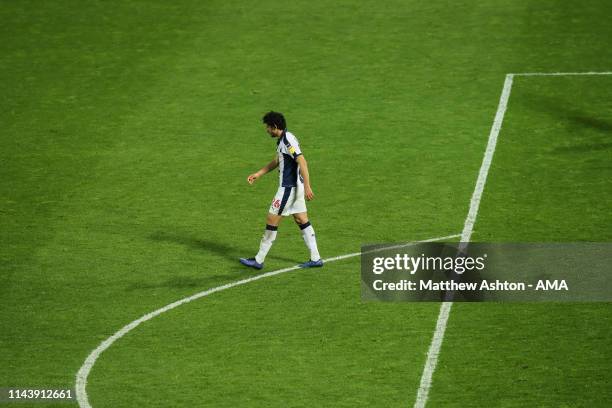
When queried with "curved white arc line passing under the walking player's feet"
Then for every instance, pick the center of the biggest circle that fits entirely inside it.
(81, 377)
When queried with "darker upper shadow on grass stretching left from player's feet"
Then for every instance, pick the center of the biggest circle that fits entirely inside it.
(230, 252)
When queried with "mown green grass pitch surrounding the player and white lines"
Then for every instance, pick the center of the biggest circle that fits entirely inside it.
(128, 130)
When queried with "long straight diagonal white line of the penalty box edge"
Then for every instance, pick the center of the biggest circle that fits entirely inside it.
(445, 308)
